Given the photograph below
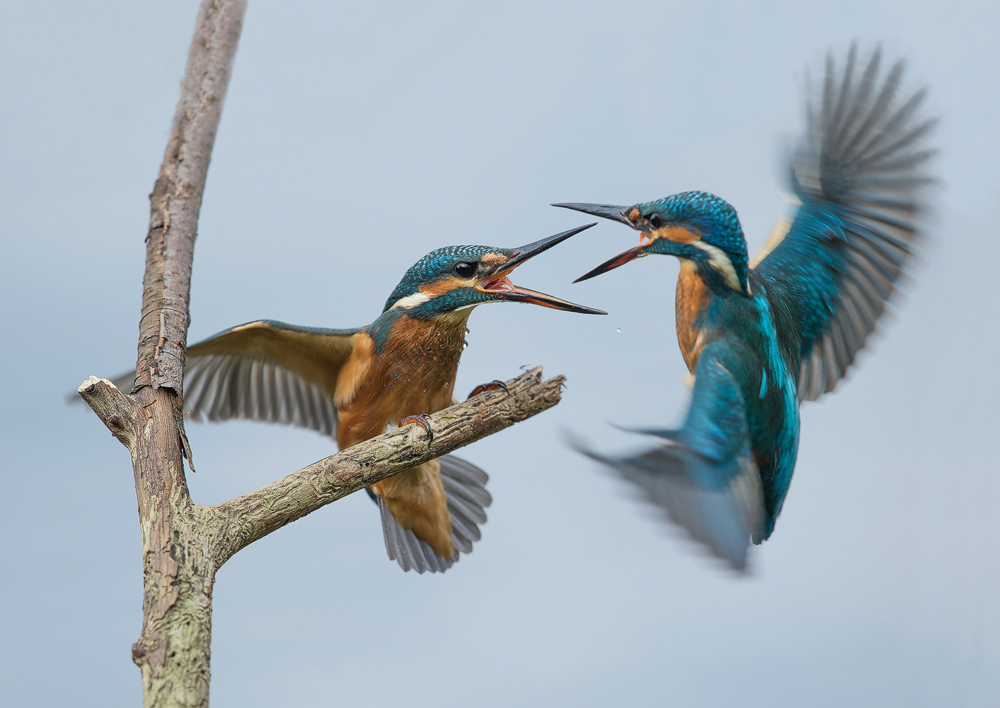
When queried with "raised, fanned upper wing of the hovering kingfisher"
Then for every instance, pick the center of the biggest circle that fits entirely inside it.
(858, 175)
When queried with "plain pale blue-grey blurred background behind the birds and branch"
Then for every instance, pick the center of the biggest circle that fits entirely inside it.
(357, 137)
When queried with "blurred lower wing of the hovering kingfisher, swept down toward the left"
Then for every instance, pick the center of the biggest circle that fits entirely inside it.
(704, 475)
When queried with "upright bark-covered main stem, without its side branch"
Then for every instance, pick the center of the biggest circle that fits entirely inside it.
(174, 647)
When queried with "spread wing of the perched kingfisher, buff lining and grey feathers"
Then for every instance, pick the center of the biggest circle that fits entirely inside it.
(267, 371)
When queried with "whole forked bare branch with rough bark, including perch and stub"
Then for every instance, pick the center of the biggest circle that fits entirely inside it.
(184, 544)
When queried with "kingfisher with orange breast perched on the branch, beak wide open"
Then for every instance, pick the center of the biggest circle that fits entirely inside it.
(353, 383)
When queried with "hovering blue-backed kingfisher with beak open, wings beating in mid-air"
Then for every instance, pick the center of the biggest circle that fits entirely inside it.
(761, 337)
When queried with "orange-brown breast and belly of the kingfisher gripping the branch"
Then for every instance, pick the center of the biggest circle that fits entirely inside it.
(414, 373)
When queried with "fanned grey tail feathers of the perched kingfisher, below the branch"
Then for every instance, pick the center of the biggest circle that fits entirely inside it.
(465, 488)
